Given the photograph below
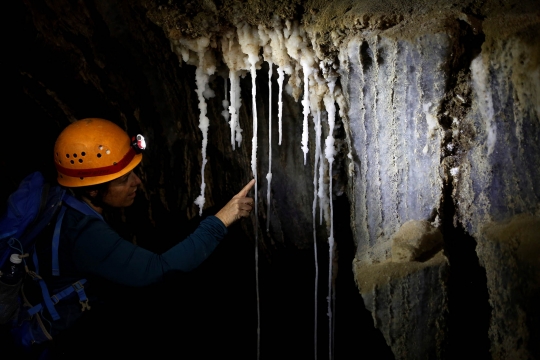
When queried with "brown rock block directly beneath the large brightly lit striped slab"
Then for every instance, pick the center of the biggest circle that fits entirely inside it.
(405, 299)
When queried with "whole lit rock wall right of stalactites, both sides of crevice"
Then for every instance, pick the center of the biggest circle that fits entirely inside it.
(470, 104)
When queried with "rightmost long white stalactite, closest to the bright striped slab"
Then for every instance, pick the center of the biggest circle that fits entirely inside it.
(330, 153)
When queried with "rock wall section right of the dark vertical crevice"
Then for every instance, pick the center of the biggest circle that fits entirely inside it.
(496, 191)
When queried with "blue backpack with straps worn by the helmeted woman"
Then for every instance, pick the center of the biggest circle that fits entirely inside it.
(33, 206)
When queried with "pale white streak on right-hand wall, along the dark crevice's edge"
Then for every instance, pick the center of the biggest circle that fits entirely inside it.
(480, 79)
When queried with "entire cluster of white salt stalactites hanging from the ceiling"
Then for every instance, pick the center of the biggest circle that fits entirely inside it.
(289, 48)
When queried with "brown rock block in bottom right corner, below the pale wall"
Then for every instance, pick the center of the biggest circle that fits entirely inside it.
(510, 253)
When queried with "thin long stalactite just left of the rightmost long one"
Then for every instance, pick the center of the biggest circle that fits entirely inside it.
(314, 212)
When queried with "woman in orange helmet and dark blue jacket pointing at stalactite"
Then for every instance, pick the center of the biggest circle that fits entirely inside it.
(95, 159)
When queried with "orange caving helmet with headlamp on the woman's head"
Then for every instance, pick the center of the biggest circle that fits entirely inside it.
(94, 151)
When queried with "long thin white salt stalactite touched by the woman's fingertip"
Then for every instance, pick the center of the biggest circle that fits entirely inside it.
(249, 42)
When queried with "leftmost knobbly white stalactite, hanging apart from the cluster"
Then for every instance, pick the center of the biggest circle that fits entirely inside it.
(206, 66)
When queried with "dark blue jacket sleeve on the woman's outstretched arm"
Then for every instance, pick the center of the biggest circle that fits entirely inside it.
(99, 250)
